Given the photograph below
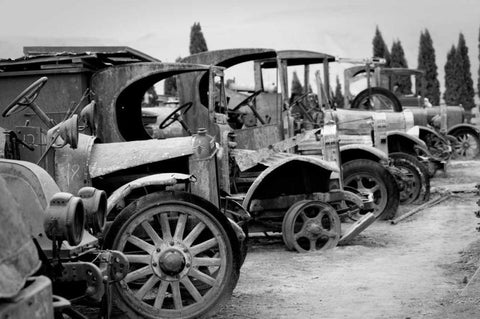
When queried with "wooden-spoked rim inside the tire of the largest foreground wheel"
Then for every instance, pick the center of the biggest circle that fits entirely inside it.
(178, 261)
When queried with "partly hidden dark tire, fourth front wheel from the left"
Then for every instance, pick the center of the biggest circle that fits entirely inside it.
(418, 190)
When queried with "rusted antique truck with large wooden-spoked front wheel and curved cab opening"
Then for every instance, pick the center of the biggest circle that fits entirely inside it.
(184, 253)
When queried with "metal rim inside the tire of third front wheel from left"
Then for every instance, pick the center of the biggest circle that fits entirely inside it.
(367, 183)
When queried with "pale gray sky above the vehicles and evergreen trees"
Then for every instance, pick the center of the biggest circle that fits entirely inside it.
(162, 28)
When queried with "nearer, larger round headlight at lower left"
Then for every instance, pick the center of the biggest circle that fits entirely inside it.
(65, 218)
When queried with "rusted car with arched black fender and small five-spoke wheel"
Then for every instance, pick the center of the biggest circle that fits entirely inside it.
(267, 180)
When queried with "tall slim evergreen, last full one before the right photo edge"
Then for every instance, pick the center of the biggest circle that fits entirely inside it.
(466, 93)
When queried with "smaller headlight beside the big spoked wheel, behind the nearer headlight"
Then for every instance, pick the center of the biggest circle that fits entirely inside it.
(95, 206)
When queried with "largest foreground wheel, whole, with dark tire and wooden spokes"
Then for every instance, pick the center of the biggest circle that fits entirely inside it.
(187, 274)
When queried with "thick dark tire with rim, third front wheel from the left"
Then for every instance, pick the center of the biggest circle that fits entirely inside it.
(365, 175)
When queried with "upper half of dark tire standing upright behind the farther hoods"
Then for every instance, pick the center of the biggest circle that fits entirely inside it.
(363, 99)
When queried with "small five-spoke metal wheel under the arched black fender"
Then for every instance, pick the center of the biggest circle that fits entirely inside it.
(311, 226)
